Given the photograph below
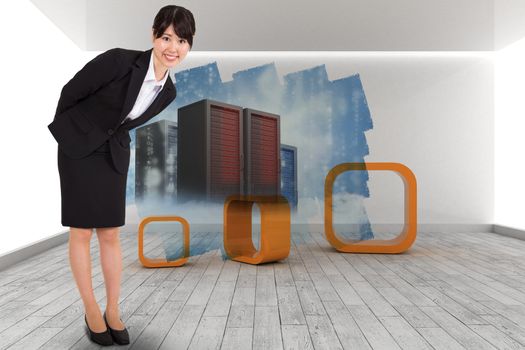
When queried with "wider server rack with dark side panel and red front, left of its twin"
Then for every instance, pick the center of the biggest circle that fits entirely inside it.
(209, 151)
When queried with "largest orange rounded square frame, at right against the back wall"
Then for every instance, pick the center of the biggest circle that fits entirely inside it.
(398, 244)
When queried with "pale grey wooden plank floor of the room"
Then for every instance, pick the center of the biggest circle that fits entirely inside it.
(450, 291)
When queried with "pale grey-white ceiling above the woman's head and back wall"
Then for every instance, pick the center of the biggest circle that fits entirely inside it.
(353, 25)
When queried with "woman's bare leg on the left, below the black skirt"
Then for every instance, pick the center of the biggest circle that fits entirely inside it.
(80, 262)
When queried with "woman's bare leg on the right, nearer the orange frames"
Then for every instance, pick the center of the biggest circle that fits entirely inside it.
(111, 261)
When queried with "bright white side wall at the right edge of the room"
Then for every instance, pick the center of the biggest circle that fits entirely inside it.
(509, 113)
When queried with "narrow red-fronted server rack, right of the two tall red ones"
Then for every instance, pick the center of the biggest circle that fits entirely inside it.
(261, 153)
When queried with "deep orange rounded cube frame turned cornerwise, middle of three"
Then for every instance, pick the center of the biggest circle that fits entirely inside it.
(275, 228)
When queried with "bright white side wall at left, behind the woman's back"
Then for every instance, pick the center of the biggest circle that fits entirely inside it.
(37, 60)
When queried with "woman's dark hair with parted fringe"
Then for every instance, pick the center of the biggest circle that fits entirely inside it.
(181, 18)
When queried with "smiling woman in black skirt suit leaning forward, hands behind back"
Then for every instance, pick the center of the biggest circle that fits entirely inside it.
(115, 92)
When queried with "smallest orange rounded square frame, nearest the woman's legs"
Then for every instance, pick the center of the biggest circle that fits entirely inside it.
(147, 262)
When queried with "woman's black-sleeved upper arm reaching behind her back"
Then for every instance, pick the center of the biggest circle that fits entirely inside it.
(97, 73)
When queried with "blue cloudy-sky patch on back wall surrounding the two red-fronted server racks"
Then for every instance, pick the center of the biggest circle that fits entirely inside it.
(322, 124)
